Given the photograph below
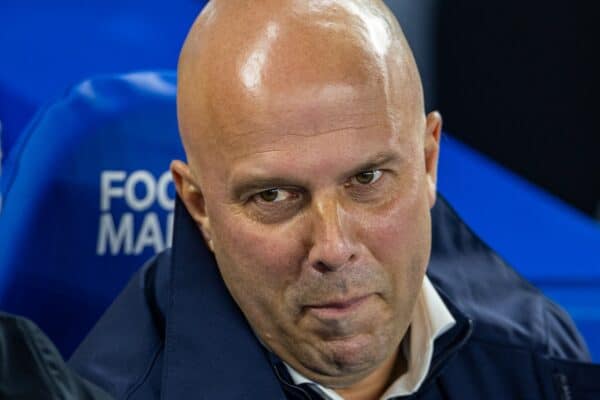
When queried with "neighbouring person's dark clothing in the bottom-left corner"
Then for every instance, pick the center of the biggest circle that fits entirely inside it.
(32, 368)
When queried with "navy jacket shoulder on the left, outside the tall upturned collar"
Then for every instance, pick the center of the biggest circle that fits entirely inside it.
(123, 352)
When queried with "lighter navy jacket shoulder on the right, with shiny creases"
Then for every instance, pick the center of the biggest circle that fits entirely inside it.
(505, 309)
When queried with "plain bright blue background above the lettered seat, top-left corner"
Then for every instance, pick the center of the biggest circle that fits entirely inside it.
(76, 39)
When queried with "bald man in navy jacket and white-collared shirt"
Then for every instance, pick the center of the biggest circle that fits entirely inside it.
(303, 234)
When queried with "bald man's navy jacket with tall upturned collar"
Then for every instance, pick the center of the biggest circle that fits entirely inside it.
(176, 333)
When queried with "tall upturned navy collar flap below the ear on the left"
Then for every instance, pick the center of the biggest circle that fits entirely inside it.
(200, 307)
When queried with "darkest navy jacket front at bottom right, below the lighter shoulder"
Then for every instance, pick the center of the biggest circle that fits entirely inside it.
(494, 369)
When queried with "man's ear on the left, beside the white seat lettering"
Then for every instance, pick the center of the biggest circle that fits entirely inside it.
(192, 198)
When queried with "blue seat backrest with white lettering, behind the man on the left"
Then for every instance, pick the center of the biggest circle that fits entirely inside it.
(86, 199)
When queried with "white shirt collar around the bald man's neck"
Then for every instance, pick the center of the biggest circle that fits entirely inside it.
(431, 319)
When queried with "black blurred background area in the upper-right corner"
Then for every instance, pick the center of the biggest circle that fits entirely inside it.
(517, 80)
